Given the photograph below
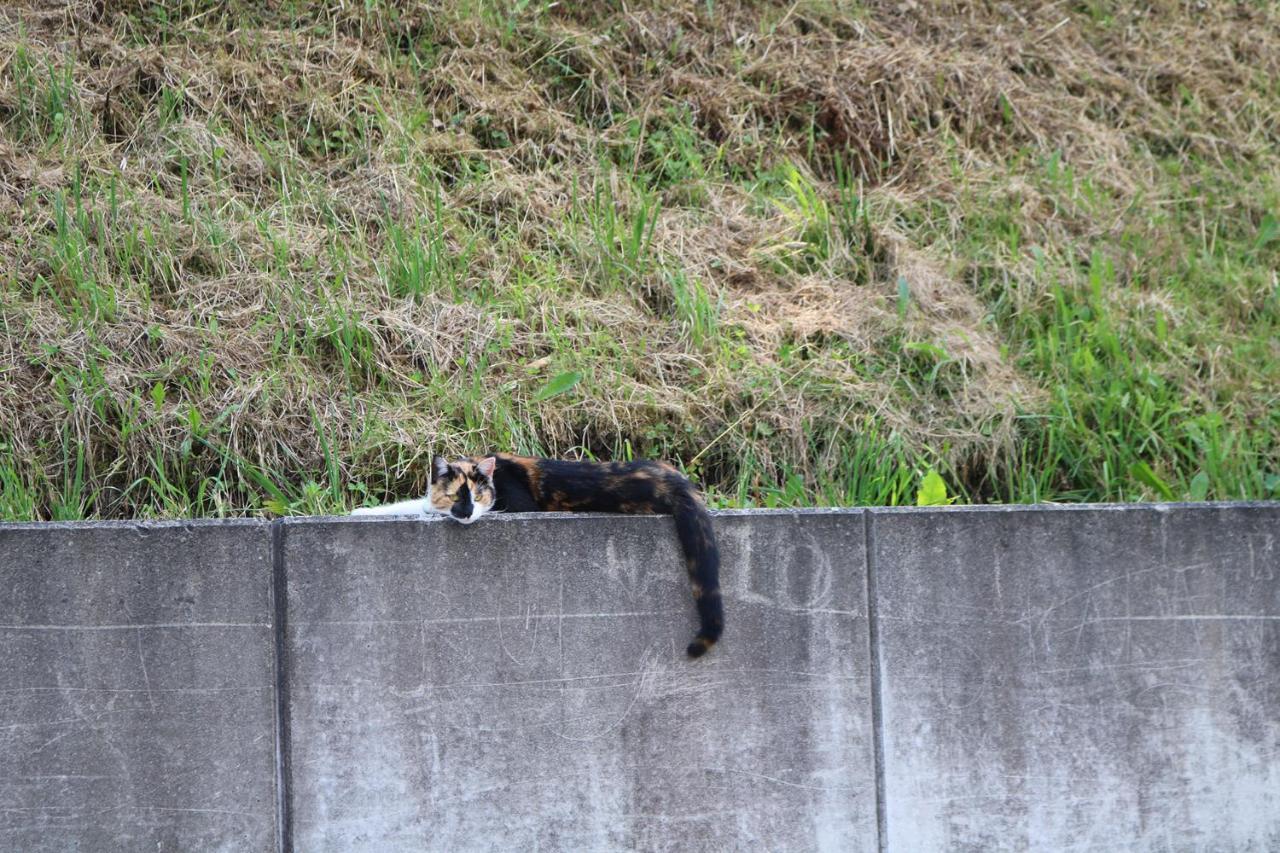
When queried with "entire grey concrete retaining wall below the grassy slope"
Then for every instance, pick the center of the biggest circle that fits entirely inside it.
(915, 679)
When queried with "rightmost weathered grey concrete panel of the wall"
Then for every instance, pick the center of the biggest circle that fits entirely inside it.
(1081, 679)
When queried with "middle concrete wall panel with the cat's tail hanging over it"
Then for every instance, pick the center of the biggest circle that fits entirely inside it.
(523, 685)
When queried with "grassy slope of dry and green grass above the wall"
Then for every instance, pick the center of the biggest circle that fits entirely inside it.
(808, 250)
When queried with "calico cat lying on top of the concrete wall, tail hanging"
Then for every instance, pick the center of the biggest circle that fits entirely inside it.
(468, 489)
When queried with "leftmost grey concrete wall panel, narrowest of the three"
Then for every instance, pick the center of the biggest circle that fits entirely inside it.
(136, 688)
